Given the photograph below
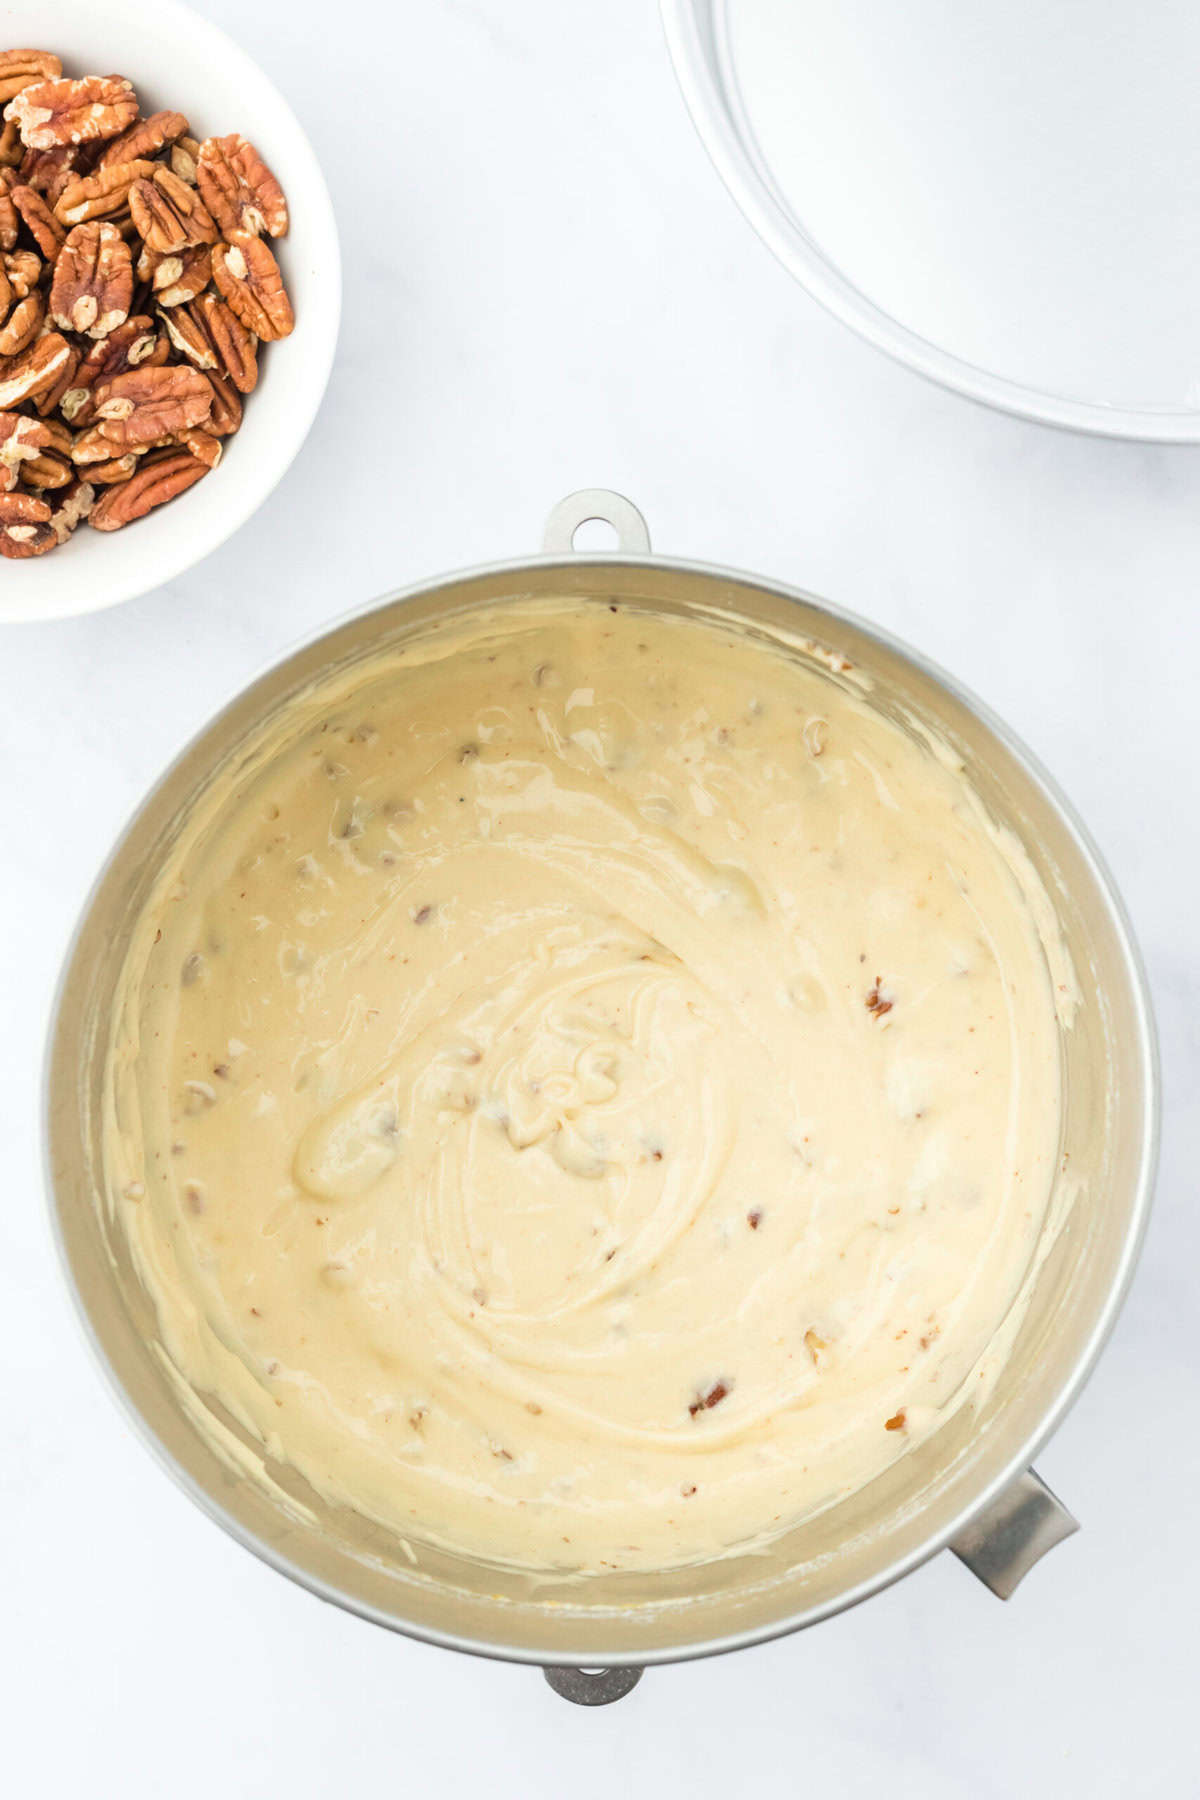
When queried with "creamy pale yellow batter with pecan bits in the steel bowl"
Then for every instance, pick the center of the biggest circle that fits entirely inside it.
(587, 1090)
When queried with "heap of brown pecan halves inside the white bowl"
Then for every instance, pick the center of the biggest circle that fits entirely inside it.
(136, 287)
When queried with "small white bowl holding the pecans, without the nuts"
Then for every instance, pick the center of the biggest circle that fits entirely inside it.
(175, 58)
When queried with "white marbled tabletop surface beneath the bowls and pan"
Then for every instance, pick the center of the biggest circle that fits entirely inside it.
(548, 289)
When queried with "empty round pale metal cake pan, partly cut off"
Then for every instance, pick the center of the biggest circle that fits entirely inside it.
(1100, 337)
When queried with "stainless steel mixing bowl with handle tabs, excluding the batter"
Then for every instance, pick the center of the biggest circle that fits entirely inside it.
(969, 1488)
